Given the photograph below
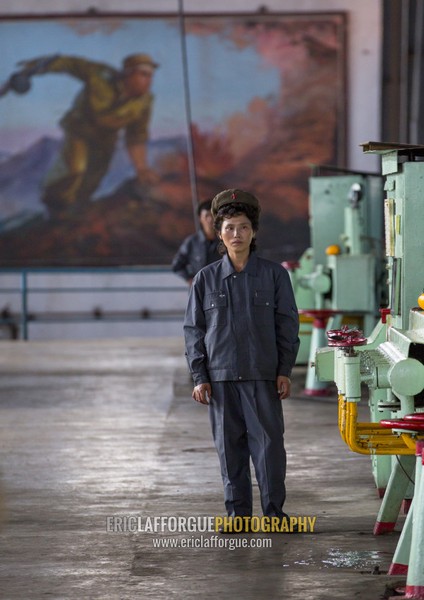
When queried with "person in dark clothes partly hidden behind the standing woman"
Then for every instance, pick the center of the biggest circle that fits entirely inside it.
(198, 249)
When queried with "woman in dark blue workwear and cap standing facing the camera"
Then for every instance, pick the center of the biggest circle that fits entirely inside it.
(241, 335)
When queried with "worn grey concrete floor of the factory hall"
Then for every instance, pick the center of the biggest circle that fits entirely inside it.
(98, 429)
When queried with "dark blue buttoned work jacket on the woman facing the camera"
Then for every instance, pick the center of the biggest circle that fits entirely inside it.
(241, 325)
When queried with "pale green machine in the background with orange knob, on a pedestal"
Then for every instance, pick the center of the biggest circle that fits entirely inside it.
(342, 275)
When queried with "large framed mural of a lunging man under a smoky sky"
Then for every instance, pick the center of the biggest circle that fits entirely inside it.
(92, 174)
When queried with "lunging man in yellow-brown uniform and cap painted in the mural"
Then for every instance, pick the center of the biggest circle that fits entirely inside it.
(110, 101)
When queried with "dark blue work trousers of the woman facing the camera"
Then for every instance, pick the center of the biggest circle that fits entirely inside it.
(247, 421)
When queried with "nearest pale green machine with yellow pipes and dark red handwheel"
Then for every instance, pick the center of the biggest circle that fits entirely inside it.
(390, 362)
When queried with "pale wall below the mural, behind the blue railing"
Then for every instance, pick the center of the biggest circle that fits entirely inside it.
(69, 300)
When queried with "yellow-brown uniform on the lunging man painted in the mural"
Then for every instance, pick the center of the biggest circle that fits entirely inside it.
(91, 128)
